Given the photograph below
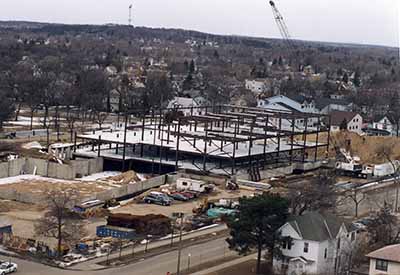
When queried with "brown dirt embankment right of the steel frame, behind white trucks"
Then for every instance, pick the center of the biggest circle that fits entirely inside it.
(364, 147)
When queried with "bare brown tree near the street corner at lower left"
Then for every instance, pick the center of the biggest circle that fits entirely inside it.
(59, 222)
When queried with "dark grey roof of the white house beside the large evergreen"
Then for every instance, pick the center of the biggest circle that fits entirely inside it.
(315, 226)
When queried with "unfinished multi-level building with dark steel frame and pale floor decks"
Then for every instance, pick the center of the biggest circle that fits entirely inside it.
(222, 140)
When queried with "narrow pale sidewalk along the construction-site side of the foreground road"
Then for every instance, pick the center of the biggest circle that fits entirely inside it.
(92, 265)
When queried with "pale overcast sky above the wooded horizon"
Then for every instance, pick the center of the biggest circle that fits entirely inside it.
(359, 21)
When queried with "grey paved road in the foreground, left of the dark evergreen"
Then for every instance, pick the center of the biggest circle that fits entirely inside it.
(158, 265)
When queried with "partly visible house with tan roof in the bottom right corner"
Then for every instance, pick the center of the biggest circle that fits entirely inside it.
(385, 260)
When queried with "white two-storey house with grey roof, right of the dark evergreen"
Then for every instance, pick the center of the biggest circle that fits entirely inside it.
(320, 244)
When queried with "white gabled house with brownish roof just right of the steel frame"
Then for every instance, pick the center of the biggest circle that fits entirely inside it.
(351, 121)
